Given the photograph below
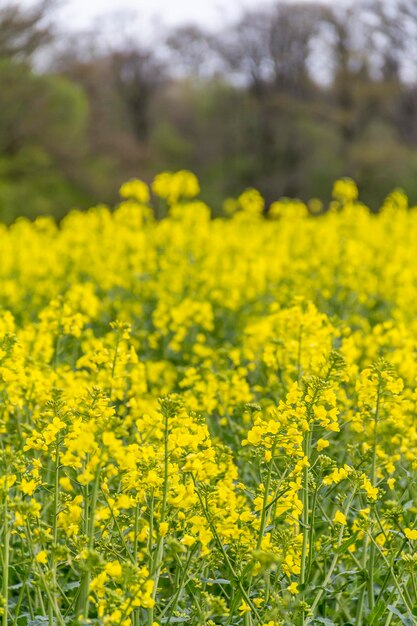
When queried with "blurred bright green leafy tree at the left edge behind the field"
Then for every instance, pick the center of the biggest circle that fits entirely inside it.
(42, 142)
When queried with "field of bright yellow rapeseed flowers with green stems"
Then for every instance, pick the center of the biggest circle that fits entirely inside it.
(210, 421)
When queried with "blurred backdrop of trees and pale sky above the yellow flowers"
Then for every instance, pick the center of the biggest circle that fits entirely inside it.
(284, 96)
